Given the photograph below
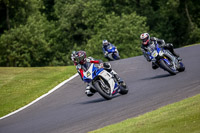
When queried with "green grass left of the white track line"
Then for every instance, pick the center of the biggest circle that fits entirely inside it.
(19, 86)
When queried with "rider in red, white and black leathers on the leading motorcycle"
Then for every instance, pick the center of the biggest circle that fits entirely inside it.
(81, 62)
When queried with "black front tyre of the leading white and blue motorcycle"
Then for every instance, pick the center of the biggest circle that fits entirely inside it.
(104, 92)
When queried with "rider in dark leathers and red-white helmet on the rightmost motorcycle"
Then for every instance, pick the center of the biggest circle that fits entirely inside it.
(147, 41)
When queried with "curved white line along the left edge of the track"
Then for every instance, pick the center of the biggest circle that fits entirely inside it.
(39, 98)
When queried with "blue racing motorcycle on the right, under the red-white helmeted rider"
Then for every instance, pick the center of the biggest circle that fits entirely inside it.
(165, 59)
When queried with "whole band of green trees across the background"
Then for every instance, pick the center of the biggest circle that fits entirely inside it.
(45, 32)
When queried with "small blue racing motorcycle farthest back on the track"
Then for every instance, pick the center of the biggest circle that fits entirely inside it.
(113, 53)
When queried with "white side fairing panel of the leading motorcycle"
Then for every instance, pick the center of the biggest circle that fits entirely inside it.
(107, 76)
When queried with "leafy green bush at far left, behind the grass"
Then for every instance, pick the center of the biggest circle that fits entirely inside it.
(26, 45)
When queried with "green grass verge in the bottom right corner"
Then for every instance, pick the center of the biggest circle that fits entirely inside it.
(180, 117)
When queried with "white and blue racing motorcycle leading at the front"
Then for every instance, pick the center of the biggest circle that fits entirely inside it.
(103, 82)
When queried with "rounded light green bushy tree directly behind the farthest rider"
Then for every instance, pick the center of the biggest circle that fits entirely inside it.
(123, 31)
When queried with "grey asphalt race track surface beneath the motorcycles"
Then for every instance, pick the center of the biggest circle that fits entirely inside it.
(69, 110)
